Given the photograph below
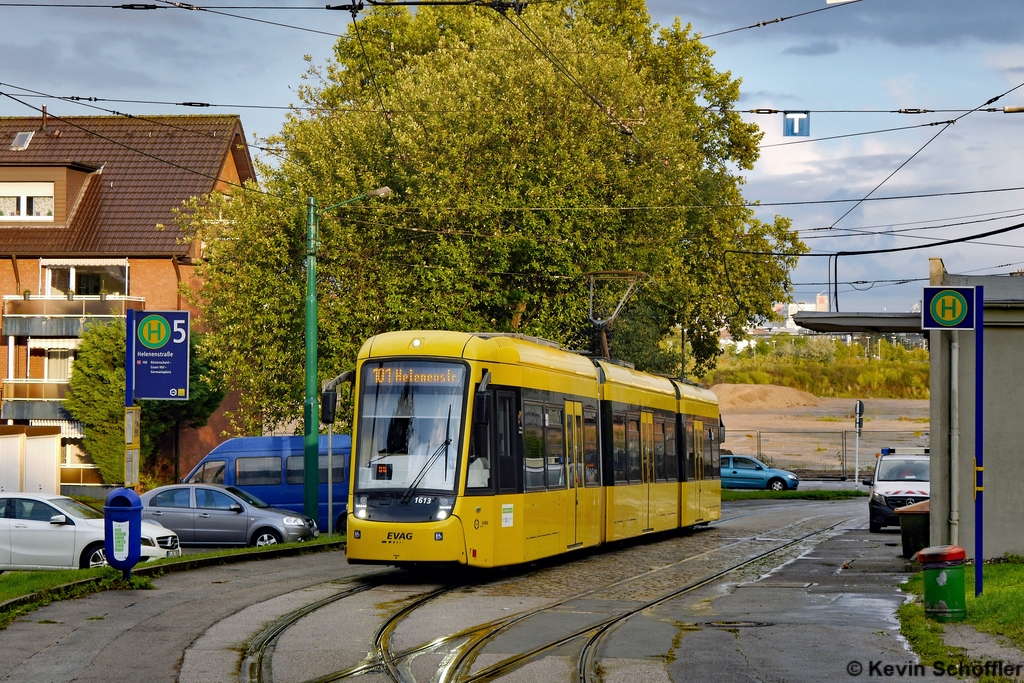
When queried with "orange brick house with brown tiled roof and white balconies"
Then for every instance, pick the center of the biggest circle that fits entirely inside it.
(88, 232)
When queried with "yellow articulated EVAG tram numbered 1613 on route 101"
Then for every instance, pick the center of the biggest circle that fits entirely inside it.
(491, 450)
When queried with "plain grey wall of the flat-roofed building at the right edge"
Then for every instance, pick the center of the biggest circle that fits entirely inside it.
(1004, 434)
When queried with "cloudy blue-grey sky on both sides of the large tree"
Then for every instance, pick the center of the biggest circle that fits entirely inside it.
(842, 64)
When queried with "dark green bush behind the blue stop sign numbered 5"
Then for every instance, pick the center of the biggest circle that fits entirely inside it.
(97, 394)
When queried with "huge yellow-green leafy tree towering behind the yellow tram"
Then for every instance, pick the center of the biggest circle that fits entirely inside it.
(525, 151)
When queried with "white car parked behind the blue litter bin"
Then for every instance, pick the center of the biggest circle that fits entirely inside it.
(47, 532)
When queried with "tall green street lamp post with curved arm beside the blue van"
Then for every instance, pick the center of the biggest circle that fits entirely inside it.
(311, 460)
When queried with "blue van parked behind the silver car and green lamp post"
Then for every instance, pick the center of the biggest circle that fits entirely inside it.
(272, 469)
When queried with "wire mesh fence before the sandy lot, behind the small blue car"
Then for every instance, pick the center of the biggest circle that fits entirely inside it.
(820, 454)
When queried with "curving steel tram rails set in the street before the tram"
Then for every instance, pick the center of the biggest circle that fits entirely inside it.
(461, 650)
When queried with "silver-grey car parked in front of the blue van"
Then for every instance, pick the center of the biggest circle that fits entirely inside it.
(204, 515)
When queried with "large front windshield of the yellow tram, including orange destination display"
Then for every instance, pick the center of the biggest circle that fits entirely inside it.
(410, 425)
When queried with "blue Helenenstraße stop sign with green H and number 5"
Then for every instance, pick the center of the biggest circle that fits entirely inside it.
(161, 356)
